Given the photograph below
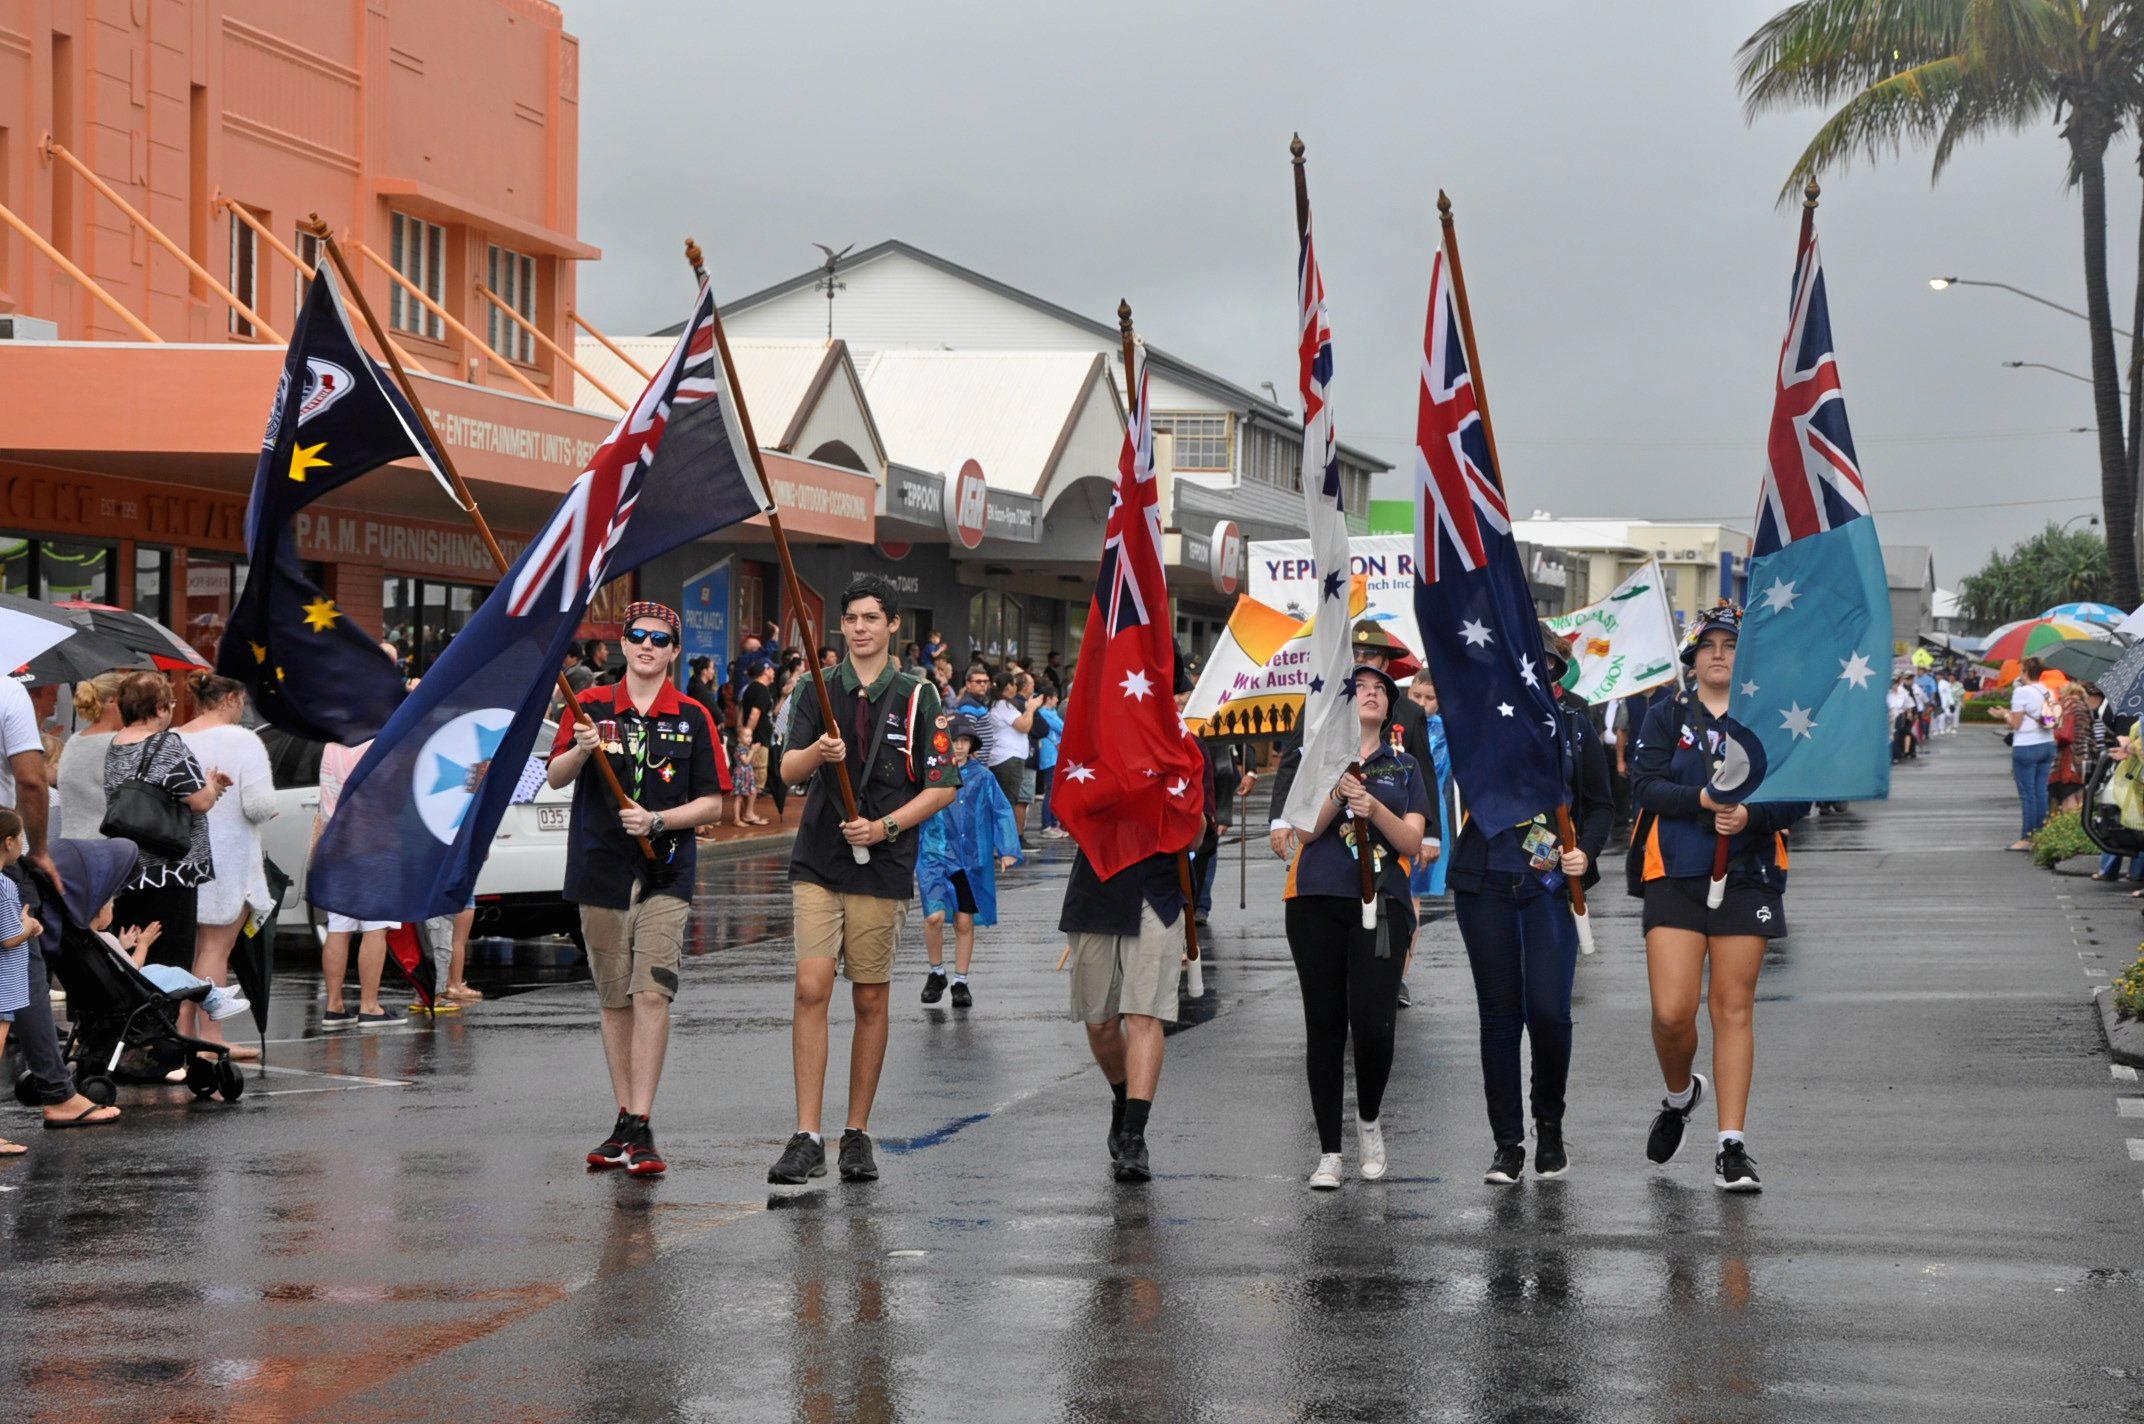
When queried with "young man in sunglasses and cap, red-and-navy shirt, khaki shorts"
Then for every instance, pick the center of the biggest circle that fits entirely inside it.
(634, 908)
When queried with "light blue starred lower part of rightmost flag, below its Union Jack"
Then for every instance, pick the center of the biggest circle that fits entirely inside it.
(1813, 668)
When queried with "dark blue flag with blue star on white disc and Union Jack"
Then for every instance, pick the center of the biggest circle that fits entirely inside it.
(417, 820)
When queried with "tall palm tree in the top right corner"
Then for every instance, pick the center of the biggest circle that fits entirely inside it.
(1948, 72)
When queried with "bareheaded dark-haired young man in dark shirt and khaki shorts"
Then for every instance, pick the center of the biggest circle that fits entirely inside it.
(895, 741)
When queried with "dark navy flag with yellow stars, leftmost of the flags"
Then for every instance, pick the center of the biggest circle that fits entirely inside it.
(310, 668)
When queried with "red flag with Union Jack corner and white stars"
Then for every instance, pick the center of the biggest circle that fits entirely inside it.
(1131, 780)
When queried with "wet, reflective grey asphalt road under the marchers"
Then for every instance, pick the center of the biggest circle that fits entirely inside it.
(398, 1226)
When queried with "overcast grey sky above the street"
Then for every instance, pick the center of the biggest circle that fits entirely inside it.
(1626, 263)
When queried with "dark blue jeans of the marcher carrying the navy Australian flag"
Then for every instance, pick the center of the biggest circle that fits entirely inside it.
(1523, 951)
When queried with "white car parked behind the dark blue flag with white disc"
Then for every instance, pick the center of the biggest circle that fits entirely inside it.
(520, 891)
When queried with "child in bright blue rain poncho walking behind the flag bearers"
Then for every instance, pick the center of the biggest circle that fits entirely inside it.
(964, 848)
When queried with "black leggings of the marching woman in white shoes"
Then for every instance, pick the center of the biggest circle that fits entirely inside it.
(1348, 988)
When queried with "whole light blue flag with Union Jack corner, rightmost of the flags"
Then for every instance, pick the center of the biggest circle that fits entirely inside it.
(1815, 653)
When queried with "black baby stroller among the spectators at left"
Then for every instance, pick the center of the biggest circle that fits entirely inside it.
(113, 1009)
